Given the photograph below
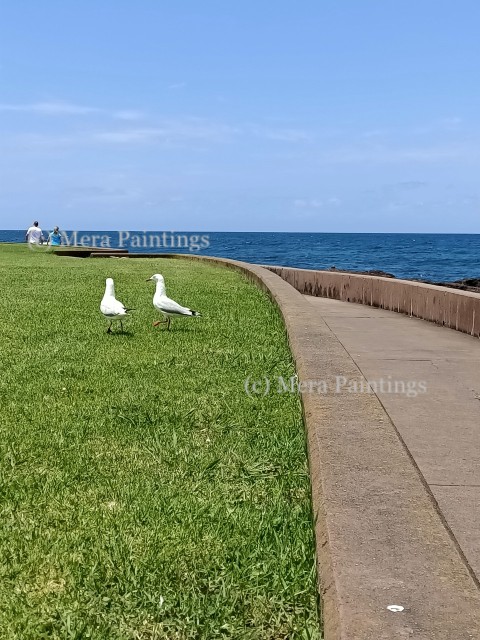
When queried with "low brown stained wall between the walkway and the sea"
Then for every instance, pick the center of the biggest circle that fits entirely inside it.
(451, 308)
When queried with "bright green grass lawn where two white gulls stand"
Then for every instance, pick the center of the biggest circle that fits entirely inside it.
(144, 495)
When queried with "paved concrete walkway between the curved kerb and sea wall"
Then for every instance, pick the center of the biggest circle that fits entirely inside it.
(436, 409)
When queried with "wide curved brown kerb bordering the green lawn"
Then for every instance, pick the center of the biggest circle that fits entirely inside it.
(380, 538)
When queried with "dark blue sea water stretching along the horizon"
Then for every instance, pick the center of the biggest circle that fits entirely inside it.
(426, 256)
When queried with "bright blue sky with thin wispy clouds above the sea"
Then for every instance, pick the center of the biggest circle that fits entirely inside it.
(328, 116)
